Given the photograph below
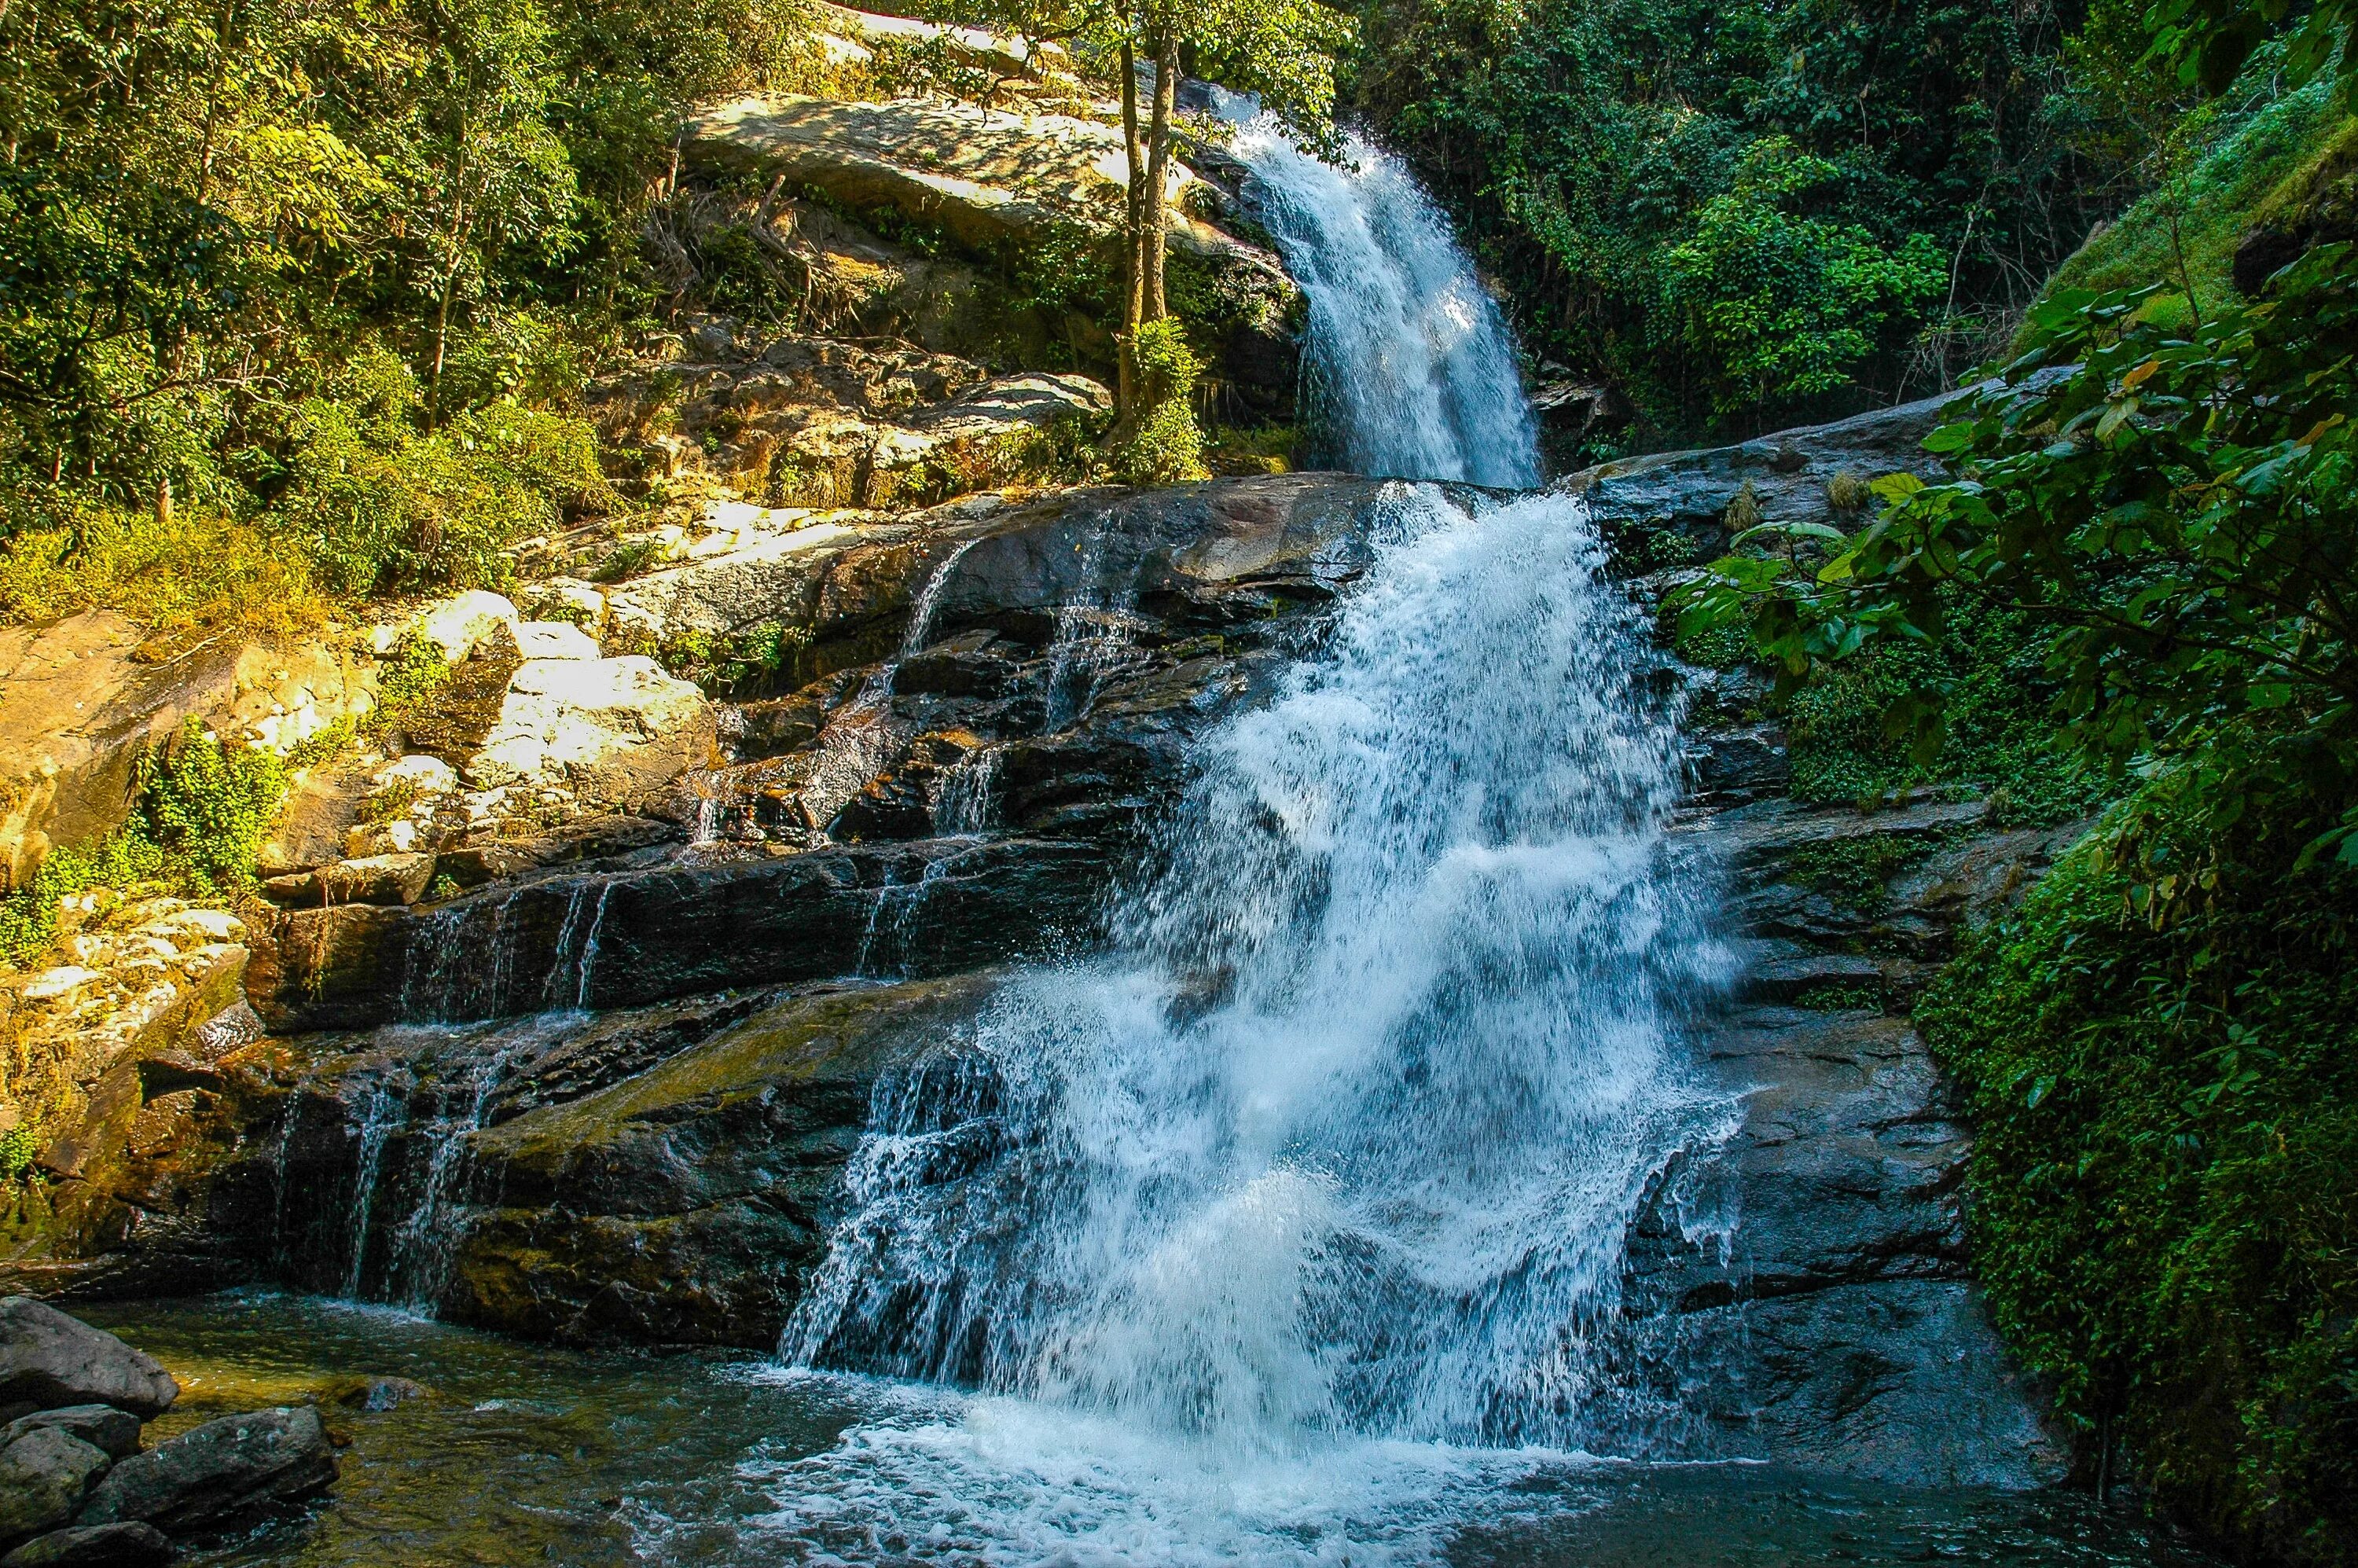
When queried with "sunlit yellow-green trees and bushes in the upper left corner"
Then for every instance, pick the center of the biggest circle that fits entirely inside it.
(209, 216)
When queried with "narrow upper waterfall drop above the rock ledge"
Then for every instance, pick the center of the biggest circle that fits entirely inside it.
(1409, 364)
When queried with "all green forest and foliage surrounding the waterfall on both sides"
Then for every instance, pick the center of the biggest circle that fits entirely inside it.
(298, 303)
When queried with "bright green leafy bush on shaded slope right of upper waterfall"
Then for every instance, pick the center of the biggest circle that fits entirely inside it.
(1777, 303)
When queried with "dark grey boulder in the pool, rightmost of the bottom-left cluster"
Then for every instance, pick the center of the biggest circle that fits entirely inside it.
(218, 1473)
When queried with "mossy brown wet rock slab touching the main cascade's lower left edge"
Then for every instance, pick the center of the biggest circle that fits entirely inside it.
(685, 1204)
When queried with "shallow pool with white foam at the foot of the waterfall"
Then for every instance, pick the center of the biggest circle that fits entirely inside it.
(525, 1454)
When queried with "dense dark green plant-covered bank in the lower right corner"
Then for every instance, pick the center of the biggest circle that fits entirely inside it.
(2166, 1175)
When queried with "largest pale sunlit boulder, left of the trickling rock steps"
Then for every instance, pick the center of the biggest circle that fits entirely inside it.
(600, 730)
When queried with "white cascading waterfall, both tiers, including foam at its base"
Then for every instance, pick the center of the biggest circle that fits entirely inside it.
(1336, 1147)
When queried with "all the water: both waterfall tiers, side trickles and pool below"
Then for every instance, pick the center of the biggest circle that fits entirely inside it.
(1284, 1230)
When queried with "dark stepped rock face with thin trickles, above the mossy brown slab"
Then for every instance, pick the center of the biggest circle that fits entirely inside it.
(1072, 652)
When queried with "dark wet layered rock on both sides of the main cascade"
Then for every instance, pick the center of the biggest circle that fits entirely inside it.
(607, 1079)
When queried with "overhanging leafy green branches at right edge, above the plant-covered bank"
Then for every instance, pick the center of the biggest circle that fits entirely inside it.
(2171, 515)
